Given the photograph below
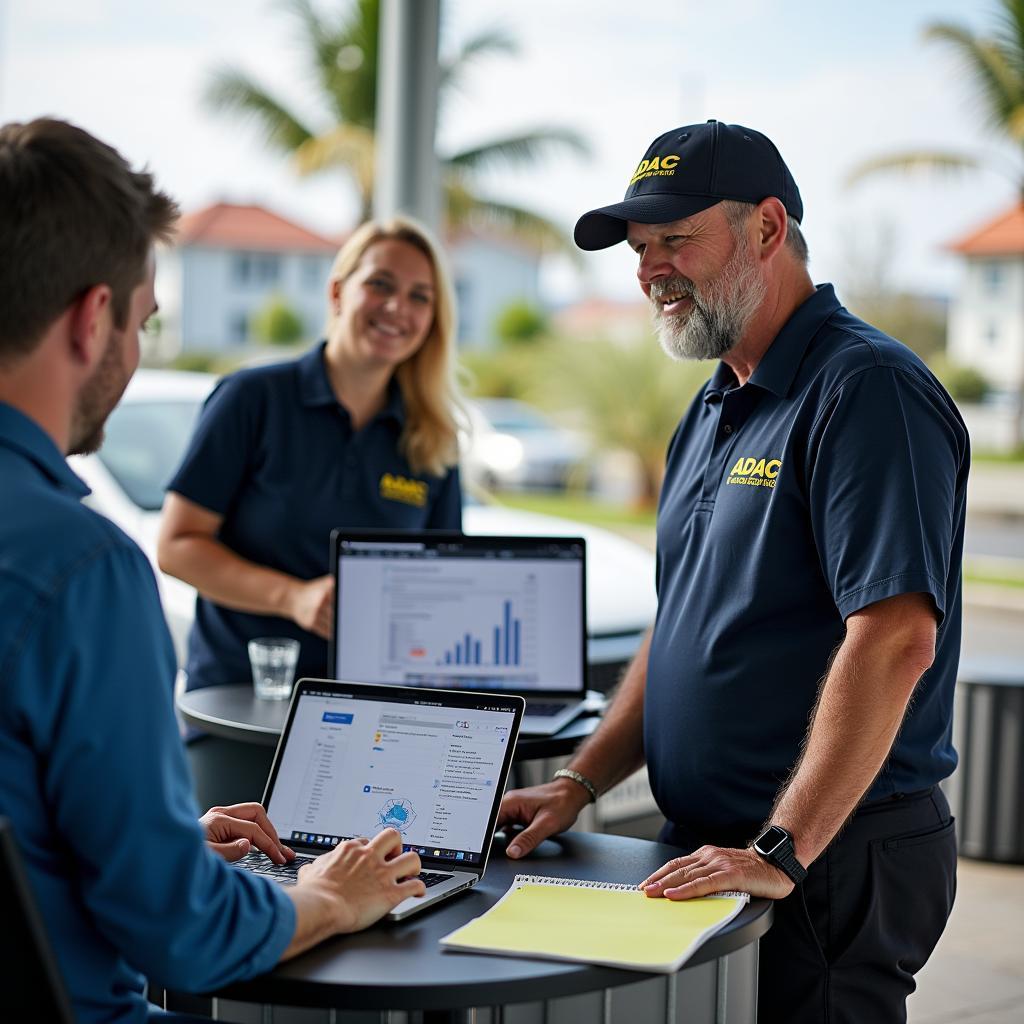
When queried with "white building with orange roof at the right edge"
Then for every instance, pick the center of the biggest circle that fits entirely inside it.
(987, 318)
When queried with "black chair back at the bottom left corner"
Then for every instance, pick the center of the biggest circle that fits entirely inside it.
(31, 987)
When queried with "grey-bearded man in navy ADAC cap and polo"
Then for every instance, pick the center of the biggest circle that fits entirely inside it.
(794, 700)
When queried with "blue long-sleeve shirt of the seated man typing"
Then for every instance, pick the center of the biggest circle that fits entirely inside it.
(93, 773)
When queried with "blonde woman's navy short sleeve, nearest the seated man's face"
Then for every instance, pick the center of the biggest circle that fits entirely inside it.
(223, 447)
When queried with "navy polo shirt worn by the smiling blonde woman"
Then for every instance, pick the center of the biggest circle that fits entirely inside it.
(276, 455)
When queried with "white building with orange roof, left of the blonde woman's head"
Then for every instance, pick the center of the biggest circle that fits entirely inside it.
(228, 264)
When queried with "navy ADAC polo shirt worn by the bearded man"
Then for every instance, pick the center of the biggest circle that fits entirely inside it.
(834, 479)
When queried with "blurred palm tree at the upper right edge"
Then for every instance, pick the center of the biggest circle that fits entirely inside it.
(996, 64)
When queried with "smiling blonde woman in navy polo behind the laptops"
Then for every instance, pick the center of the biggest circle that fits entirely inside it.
(358, 433)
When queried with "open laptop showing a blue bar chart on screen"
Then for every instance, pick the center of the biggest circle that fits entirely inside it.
(440, 610)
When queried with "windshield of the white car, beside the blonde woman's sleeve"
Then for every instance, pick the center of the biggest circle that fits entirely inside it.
(145, 445)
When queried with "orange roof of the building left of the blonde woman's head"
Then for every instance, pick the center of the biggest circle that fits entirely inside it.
(226, 226)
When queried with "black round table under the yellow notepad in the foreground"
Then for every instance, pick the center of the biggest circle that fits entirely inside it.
(401, 967)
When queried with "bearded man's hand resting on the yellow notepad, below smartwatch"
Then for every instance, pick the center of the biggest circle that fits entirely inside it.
(716, 870)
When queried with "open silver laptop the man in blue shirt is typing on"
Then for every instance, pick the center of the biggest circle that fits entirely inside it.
(355, 759)
